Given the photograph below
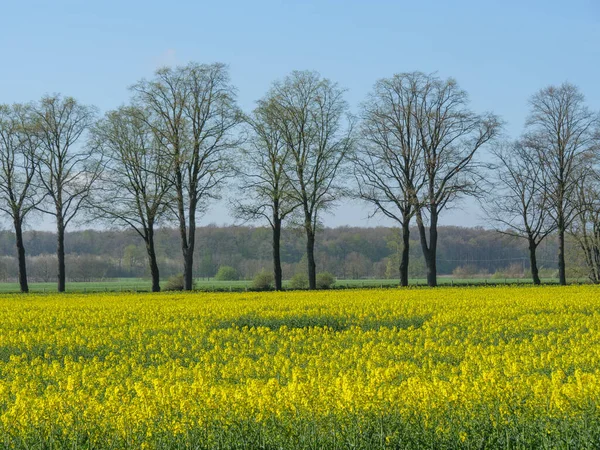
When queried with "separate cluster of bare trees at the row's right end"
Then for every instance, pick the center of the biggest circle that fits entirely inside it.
(547, 181)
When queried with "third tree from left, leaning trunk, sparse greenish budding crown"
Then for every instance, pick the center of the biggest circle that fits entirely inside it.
(134, 185)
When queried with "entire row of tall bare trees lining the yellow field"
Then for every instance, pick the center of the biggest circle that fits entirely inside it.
(413, 150)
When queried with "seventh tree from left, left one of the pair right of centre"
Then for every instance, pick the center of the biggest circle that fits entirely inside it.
(389, 166)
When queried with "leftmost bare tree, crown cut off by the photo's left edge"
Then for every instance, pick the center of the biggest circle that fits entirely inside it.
(18, 164)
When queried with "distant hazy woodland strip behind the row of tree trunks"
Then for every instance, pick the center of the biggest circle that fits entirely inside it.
(346, 252)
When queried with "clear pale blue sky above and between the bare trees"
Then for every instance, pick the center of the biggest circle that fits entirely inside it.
(500, 51)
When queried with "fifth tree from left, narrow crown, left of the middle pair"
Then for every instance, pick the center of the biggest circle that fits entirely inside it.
(264, 187)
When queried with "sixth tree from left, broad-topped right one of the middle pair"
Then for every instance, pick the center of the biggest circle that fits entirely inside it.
(310, 112)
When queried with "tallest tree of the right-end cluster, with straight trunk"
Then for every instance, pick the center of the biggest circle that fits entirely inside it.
(560, 131)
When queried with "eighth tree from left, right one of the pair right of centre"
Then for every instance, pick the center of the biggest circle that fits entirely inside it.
(450, 135)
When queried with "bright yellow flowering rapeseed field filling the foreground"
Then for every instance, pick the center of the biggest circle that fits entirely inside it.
(509, 367)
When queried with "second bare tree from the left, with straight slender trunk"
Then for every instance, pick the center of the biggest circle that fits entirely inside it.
(67, 168)
